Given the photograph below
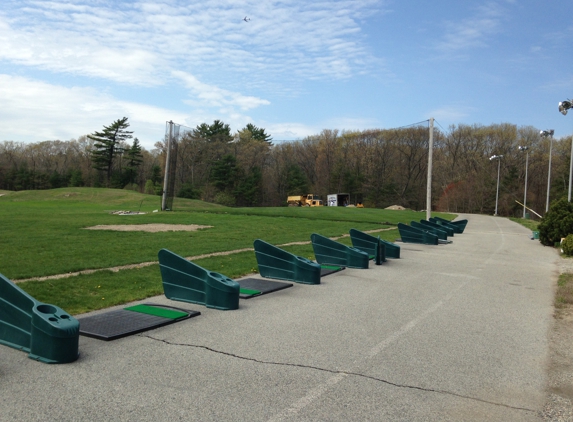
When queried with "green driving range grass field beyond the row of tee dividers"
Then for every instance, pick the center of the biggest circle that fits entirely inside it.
(43, 234)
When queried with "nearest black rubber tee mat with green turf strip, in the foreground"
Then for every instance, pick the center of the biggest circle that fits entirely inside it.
(122, 323)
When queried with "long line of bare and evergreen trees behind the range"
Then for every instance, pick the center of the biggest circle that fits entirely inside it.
(378, 167)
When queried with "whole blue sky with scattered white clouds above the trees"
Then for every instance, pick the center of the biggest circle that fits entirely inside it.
(67, 68)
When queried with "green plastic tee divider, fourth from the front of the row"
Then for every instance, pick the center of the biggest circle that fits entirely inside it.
(330, 252)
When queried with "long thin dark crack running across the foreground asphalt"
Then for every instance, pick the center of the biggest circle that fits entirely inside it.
(333, 371)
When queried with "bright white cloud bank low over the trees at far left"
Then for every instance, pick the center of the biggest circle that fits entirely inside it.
(34, 111)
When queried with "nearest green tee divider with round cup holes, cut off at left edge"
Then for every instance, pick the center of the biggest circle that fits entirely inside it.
(46, 332)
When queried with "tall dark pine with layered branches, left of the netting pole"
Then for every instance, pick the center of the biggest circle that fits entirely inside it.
(107, 144)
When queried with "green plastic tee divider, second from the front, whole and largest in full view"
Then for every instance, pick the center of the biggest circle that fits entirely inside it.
(188, 282)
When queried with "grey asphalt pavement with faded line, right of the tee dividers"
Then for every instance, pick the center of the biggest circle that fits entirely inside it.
(454, 332)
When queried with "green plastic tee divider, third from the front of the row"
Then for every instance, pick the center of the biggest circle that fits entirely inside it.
(279, 264)
